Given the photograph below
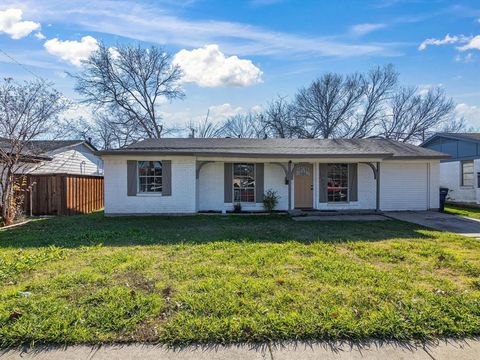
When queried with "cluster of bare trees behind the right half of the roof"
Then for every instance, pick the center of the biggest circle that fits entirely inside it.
(352, 106)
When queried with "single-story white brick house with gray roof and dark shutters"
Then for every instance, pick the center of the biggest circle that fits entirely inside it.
(162, 176)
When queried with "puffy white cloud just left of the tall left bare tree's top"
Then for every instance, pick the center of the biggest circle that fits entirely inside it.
(72, 50)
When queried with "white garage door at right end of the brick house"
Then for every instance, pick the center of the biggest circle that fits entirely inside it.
(404, 186)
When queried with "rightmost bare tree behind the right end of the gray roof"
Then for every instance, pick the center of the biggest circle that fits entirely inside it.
(414, 114)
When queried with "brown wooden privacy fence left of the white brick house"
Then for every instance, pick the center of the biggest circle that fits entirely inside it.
(63, 194)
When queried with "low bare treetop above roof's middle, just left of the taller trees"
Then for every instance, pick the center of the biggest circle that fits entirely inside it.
(243, 126)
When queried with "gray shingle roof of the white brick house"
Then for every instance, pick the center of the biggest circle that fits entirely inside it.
(279, 148)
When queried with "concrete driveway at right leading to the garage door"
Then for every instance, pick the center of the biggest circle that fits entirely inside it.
(440, 221)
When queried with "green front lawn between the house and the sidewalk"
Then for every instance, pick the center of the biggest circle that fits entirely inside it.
(177, 280)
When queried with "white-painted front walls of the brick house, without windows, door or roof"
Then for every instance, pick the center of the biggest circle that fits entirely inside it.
(405, 185)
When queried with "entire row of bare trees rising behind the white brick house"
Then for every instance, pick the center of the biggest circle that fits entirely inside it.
(127, 84)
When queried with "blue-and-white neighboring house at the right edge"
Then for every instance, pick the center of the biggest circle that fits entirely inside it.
(461, 172)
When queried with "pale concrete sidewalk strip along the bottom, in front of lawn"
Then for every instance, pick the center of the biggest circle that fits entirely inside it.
(463, 350)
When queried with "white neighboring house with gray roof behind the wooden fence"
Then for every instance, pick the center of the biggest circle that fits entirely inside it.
(65, 157)
